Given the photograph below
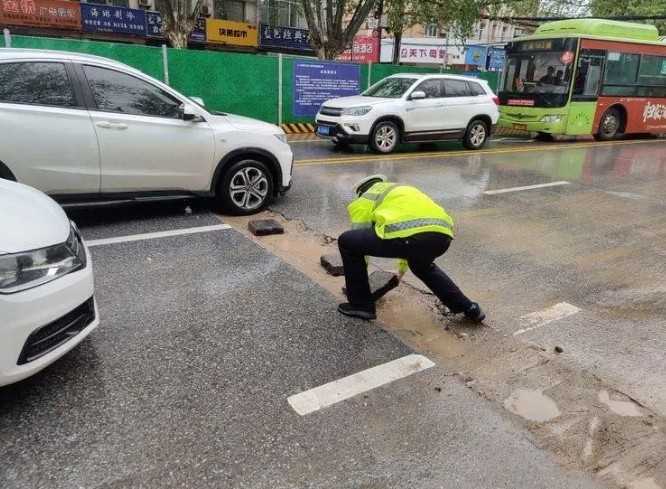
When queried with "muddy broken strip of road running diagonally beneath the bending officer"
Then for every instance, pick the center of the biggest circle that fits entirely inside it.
(586, 423)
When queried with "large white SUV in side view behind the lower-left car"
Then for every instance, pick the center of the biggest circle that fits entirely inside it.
(82, 127)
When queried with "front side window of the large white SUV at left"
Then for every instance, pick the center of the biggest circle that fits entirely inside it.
(118, 92)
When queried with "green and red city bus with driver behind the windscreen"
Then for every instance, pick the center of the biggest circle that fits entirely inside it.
(585, 77)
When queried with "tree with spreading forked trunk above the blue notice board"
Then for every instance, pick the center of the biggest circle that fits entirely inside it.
(330, 35)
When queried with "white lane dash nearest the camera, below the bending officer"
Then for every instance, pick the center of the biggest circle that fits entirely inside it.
(325, 395)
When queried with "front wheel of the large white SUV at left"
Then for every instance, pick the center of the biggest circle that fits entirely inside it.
(245, 188)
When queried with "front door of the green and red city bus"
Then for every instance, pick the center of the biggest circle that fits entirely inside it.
(586, 85)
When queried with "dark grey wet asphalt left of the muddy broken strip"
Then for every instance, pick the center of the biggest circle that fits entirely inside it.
(185, 384)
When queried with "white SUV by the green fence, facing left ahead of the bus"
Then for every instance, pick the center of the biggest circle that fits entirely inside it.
(412, 109)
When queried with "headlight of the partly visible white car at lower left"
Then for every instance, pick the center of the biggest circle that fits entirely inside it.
(21, 271)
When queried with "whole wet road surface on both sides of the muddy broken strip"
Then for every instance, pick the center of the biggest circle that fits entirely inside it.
(204, 337)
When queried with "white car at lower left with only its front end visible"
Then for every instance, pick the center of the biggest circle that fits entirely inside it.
(47, 303)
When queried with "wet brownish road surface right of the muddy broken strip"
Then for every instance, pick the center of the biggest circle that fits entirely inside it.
(596, 243)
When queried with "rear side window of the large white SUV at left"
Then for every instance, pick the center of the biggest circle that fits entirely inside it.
(36, 83)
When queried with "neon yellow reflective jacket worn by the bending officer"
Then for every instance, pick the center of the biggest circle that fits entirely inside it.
(398, 211)
